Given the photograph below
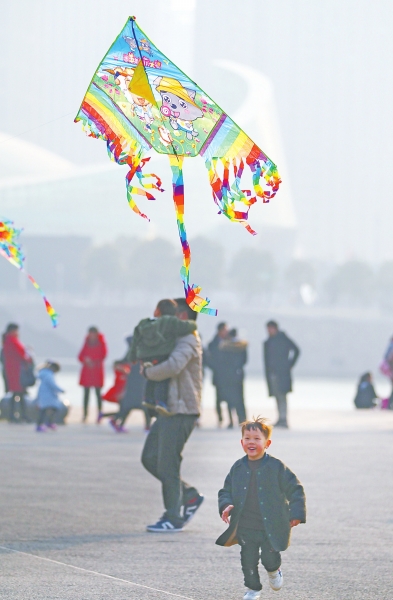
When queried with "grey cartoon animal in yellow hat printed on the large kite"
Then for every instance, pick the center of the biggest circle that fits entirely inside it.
(178, 105)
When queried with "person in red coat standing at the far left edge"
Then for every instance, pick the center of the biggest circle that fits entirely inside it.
(14, 356)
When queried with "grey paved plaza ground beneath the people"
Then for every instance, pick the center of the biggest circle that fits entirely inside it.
(81, 499)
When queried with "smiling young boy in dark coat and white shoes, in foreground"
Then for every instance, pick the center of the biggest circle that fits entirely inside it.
(261, 501)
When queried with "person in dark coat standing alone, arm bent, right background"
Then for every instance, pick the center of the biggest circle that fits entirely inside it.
(280, 356)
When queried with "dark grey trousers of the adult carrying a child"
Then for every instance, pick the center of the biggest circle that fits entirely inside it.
(162, 457)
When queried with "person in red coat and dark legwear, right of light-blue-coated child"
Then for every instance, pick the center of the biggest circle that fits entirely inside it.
(92, 357)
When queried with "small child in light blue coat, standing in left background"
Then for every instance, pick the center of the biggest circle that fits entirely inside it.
(47, 399)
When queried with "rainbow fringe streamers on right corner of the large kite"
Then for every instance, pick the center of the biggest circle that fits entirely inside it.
(232, 201)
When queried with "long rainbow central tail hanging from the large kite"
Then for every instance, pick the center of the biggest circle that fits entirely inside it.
(192, 291)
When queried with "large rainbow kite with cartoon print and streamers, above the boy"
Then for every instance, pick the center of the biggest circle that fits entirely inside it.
(138, 100)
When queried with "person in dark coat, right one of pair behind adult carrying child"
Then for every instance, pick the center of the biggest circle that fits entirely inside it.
(230, 377)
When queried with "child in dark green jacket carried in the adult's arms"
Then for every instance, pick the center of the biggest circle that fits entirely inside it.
(153, 342)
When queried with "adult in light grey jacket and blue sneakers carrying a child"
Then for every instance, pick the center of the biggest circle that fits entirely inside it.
(164, 444)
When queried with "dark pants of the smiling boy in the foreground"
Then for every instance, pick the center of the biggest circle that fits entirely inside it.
(255, 545)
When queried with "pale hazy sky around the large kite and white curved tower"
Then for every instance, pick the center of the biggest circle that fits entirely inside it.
(330, 64)
